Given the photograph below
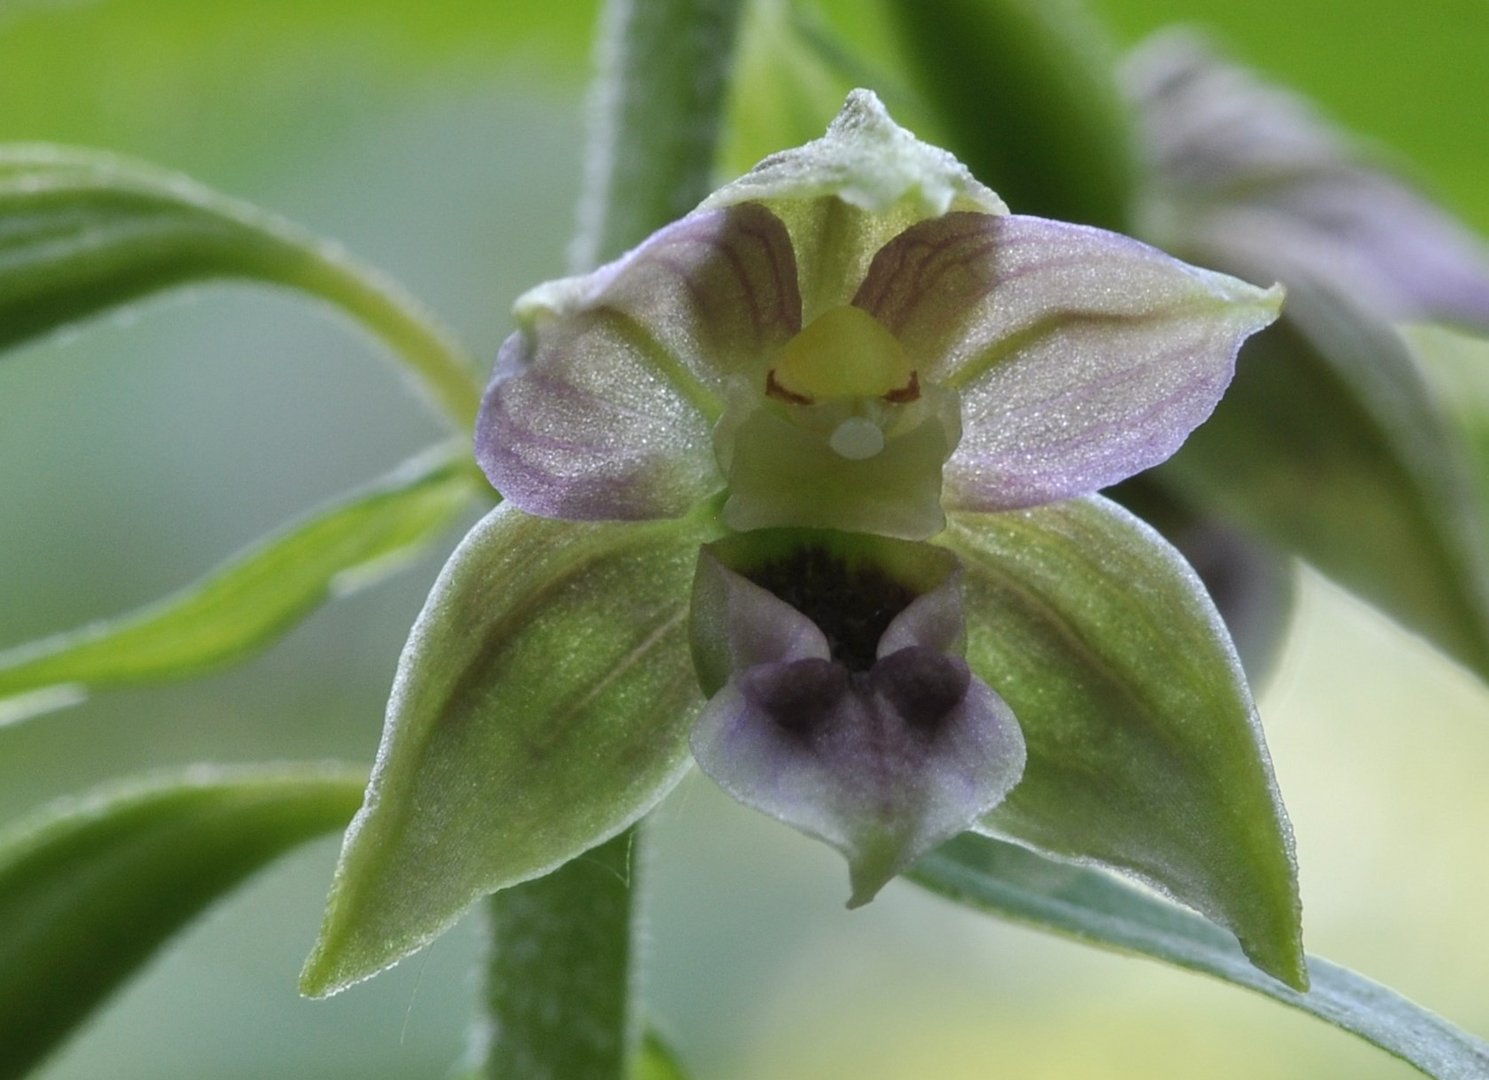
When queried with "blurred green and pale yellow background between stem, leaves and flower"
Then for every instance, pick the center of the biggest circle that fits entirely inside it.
(443, 142)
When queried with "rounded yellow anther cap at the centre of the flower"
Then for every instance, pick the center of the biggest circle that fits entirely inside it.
(844, 354)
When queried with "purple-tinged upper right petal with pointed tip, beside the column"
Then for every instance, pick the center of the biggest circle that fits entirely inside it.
(1082, 357)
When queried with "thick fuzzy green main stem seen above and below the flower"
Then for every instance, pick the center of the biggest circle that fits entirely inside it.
(561, 973)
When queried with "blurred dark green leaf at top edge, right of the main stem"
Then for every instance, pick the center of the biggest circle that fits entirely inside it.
(1030, 99)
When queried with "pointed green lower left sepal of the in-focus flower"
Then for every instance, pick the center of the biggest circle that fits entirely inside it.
(543, 705)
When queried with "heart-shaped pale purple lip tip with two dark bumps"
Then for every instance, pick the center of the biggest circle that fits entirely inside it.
(884, 769)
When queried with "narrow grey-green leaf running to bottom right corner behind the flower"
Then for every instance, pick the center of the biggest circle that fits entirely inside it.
(1092, 908)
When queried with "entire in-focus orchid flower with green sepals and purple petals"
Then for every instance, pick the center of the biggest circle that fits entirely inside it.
(864, 410)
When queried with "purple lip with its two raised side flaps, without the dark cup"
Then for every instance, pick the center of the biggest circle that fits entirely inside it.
(884, 763)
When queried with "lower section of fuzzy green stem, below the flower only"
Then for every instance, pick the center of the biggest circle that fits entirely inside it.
(558, 997)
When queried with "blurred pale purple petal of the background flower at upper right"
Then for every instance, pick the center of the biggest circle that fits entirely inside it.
(1252, 177)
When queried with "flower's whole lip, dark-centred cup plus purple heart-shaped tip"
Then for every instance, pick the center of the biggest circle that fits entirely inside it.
(839, 698)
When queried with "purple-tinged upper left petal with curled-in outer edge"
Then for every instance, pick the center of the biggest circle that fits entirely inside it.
(602, 404)
